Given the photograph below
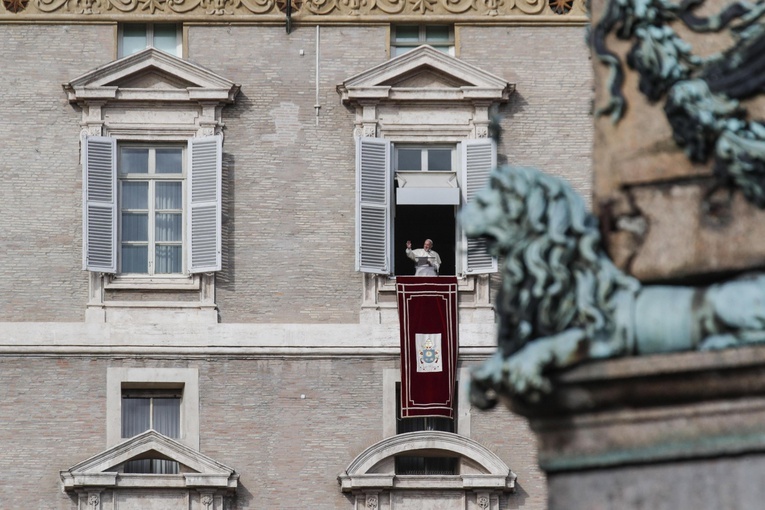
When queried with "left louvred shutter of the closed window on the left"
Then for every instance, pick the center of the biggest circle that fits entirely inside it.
(99, 201)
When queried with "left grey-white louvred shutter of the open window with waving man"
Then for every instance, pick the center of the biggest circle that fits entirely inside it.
(373, 182)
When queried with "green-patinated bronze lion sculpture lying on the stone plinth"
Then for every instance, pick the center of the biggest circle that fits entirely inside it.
(562, 301)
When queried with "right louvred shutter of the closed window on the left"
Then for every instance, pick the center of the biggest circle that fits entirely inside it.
(204, 200)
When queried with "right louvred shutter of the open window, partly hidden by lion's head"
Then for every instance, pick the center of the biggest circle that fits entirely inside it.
(479, 157)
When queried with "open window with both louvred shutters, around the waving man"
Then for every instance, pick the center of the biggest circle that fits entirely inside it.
(414, 192)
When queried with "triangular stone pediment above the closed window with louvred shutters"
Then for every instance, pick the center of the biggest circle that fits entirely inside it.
(149, 75)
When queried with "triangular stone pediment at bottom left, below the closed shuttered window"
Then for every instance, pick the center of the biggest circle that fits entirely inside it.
(103, 469)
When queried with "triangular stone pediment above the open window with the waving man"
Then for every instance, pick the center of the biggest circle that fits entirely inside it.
(419, 74)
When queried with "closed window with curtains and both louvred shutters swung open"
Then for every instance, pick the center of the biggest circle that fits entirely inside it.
(151, 209)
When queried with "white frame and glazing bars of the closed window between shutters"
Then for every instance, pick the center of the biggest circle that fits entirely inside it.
(152, 177)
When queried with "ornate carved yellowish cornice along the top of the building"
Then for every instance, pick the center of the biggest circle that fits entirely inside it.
(309, 12)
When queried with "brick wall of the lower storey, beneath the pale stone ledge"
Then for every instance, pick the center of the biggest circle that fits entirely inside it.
(287, 450)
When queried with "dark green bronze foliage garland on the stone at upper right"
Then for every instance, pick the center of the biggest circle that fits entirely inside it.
(702, 96)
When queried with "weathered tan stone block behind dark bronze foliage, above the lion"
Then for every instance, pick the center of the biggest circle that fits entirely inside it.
(661, 217)
